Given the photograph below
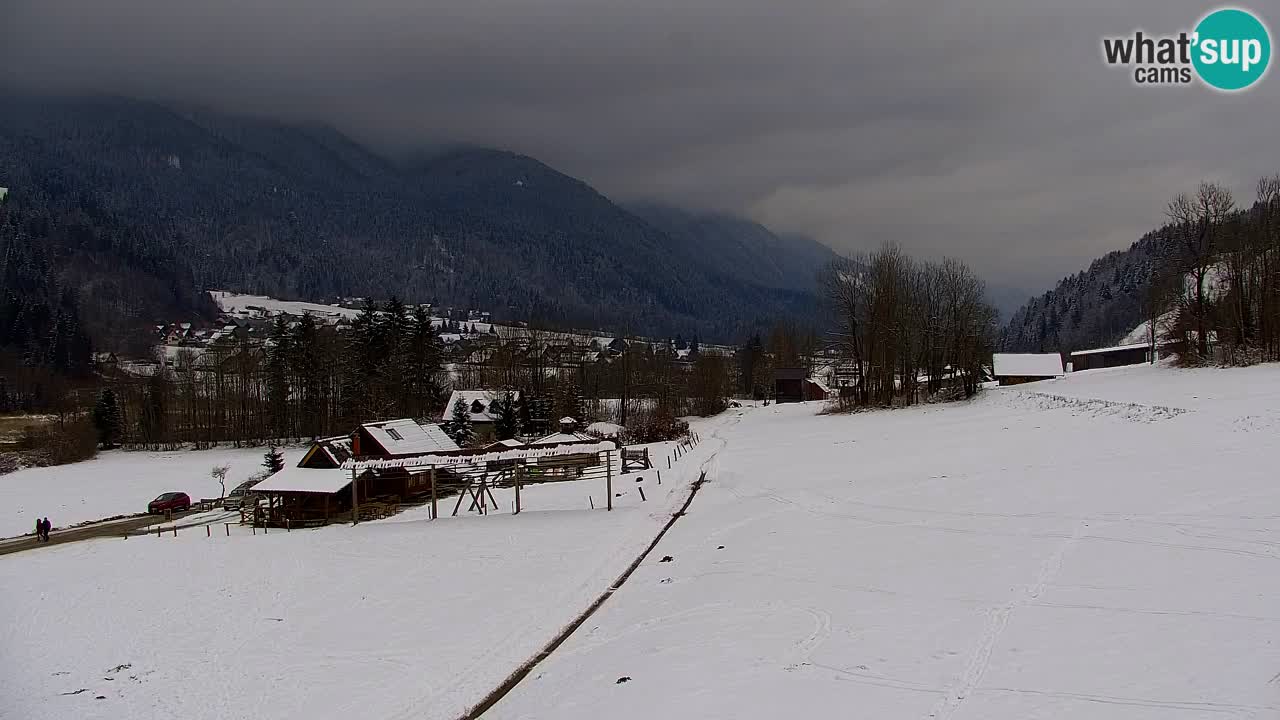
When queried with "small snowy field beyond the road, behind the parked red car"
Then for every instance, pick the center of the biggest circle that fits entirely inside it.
(118, 484)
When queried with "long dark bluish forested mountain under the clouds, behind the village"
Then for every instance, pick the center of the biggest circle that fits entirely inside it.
(307, 213)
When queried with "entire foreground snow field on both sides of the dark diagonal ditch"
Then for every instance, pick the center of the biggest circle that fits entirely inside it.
(1101, 546)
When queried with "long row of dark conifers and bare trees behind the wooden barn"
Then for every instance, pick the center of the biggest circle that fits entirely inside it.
(310, 380)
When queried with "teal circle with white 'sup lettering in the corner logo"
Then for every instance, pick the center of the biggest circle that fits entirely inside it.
(1232, 49)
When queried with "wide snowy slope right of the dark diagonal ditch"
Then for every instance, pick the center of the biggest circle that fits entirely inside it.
(1016, 558)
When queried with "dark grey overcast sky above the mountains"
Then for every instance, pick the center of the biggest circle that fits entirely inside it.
(990, 131)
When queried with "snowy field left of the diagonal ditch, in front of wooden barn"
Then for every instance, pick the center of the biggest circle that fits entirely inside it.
(401, 618)
